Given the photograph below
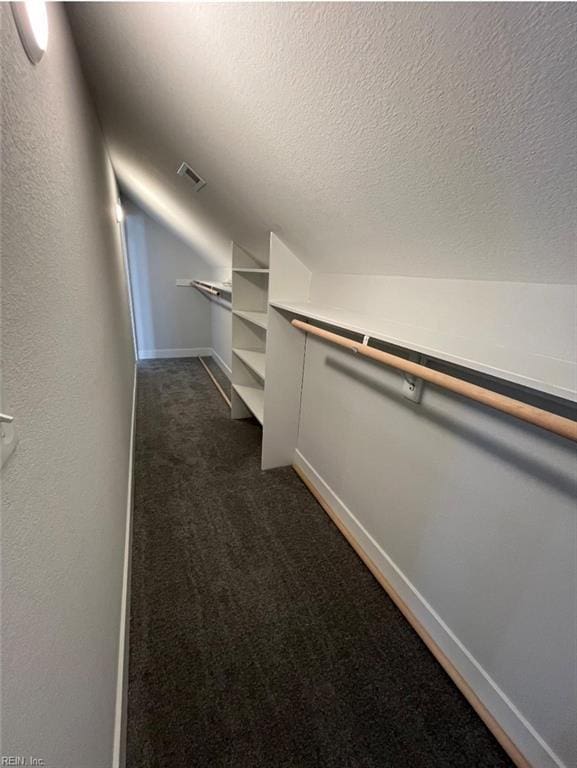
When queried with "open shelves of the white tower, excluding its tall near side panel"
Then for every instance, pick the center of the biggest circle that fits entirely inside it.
(250, 278)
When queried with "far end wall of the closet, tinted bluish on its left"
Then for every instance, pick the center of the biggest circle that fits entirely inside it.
(170, 321)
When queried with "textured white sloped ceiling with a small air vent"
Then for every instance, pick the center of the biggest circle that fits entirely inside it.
(408, 139)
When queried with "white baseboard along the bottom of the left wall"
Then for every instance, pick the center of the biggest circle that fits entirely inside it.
(118, 750)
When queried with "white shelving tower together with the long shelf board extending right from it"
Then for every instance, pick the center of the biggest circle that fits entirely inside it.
(269, 353)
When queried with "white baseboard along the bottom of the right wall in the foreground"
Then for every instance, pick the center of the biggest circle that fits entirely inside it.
(517, 727)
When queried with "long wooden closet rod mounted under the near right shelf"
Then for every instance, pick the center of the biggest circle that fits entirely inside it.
(559, 425)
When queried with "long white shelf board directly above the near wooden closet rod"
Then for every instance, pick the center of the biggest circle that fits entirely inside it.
(537, 371)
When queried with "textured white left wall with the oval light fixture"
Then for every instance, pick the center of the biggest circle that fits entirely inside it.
(67, 376)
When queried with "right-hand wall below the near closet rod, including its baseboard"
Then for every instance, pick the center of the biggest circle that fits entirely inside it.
(472, 516)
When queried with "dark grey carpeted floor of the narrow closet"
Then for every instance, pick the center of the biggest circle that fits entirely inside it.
(258, 639)
